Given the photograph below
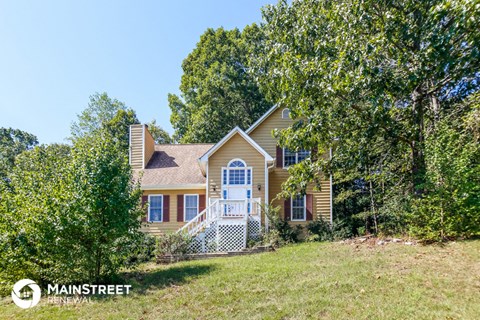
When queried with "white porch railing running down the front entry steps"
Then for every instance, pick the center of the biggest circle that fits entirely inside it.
(221, 209)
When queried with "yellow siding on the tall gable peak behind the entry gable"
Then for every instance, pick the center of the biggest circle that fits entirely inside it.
(263, 133)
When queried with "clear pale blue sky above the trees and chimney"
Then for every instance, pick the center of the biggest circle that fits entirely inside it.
(55, 54)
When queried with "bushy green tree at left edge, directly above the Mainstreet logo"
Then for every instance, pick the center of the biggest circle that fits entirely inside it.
(33, 212)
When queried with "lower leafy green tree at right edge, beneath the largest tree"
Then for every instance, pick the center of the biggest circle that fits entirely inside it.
(452, 207)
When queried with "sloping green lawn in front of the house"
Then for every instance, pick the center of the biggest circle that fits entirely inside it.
(328, 281)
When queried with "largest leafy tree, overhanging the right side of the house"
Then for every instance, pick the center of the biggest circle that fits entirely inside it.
(377, 90)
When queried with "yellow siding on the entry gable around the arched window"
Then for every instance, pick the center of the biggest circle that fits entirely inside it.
(236, 148)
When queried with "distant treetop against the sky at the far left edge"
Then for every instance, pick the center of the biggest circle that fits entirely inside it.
(12, 143)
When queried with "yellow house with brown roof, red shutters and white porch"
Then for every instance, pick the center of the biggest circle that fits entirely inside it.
(214, 192)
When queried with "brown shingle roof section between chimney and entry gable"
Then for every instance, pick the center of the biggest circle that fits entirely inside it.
(175, 164)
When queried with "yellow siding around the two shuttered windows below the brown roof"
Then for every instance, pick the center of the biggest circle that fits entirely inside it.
(157, 228)
